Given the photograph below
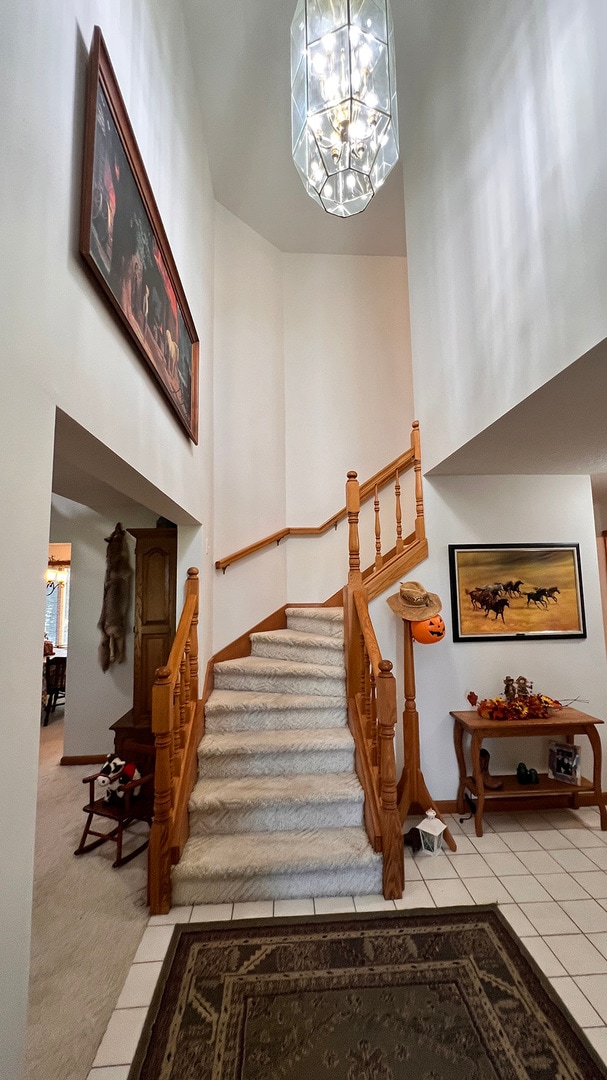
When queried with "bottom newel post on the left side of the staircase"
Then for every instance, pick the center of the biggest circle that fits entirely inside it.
(159, 856)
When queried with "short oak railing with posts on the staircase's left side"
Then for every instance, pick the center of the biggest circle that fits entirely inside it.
(178, 727)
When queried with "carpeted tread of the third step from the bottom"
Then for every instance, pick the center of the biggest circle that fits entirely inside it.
(275, 742)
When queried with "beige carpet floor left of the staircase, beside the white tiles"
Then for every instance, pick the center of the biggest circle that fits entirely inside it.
(88, 921)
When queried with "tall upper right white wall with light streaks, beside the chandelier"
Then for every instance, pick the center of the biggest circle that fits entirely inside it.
(506, 187)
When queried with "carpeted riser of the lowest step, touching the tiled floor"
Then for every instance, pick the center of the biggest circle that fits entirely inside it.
(347, 883)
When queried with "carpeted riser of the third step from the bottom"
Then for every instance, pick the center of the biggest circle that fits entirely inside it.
(275, 765)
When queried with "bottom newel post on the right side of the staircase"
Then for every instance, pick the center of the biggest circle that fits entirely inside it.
(393, 845)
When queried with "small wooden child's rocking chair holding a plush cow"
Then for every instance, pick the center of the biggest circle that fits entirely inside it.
(133, 808)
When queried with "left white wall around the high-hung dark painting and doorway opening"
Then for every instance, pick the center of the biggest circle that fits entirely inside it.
(61, 347)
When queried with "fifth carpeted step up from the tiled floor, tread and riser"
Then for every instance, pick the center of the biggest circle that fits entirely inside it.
(264, 673)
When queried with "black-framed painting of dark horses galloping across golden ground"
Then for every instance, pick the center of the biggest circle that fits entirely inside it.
(517, 592)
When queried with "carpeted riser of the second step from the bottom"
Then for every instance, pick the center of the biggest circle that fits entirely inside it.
(277, 819)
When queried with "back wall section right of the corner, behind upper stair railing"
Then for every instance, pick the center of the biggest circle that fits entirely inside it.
(349, 399)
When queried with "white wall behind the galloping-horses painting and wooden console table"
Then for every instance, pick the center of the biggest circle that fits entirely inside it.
(500, 510)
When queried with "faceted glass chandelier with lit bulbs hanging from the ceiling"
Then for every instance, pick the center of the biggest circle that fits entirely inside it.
(344, 101)
